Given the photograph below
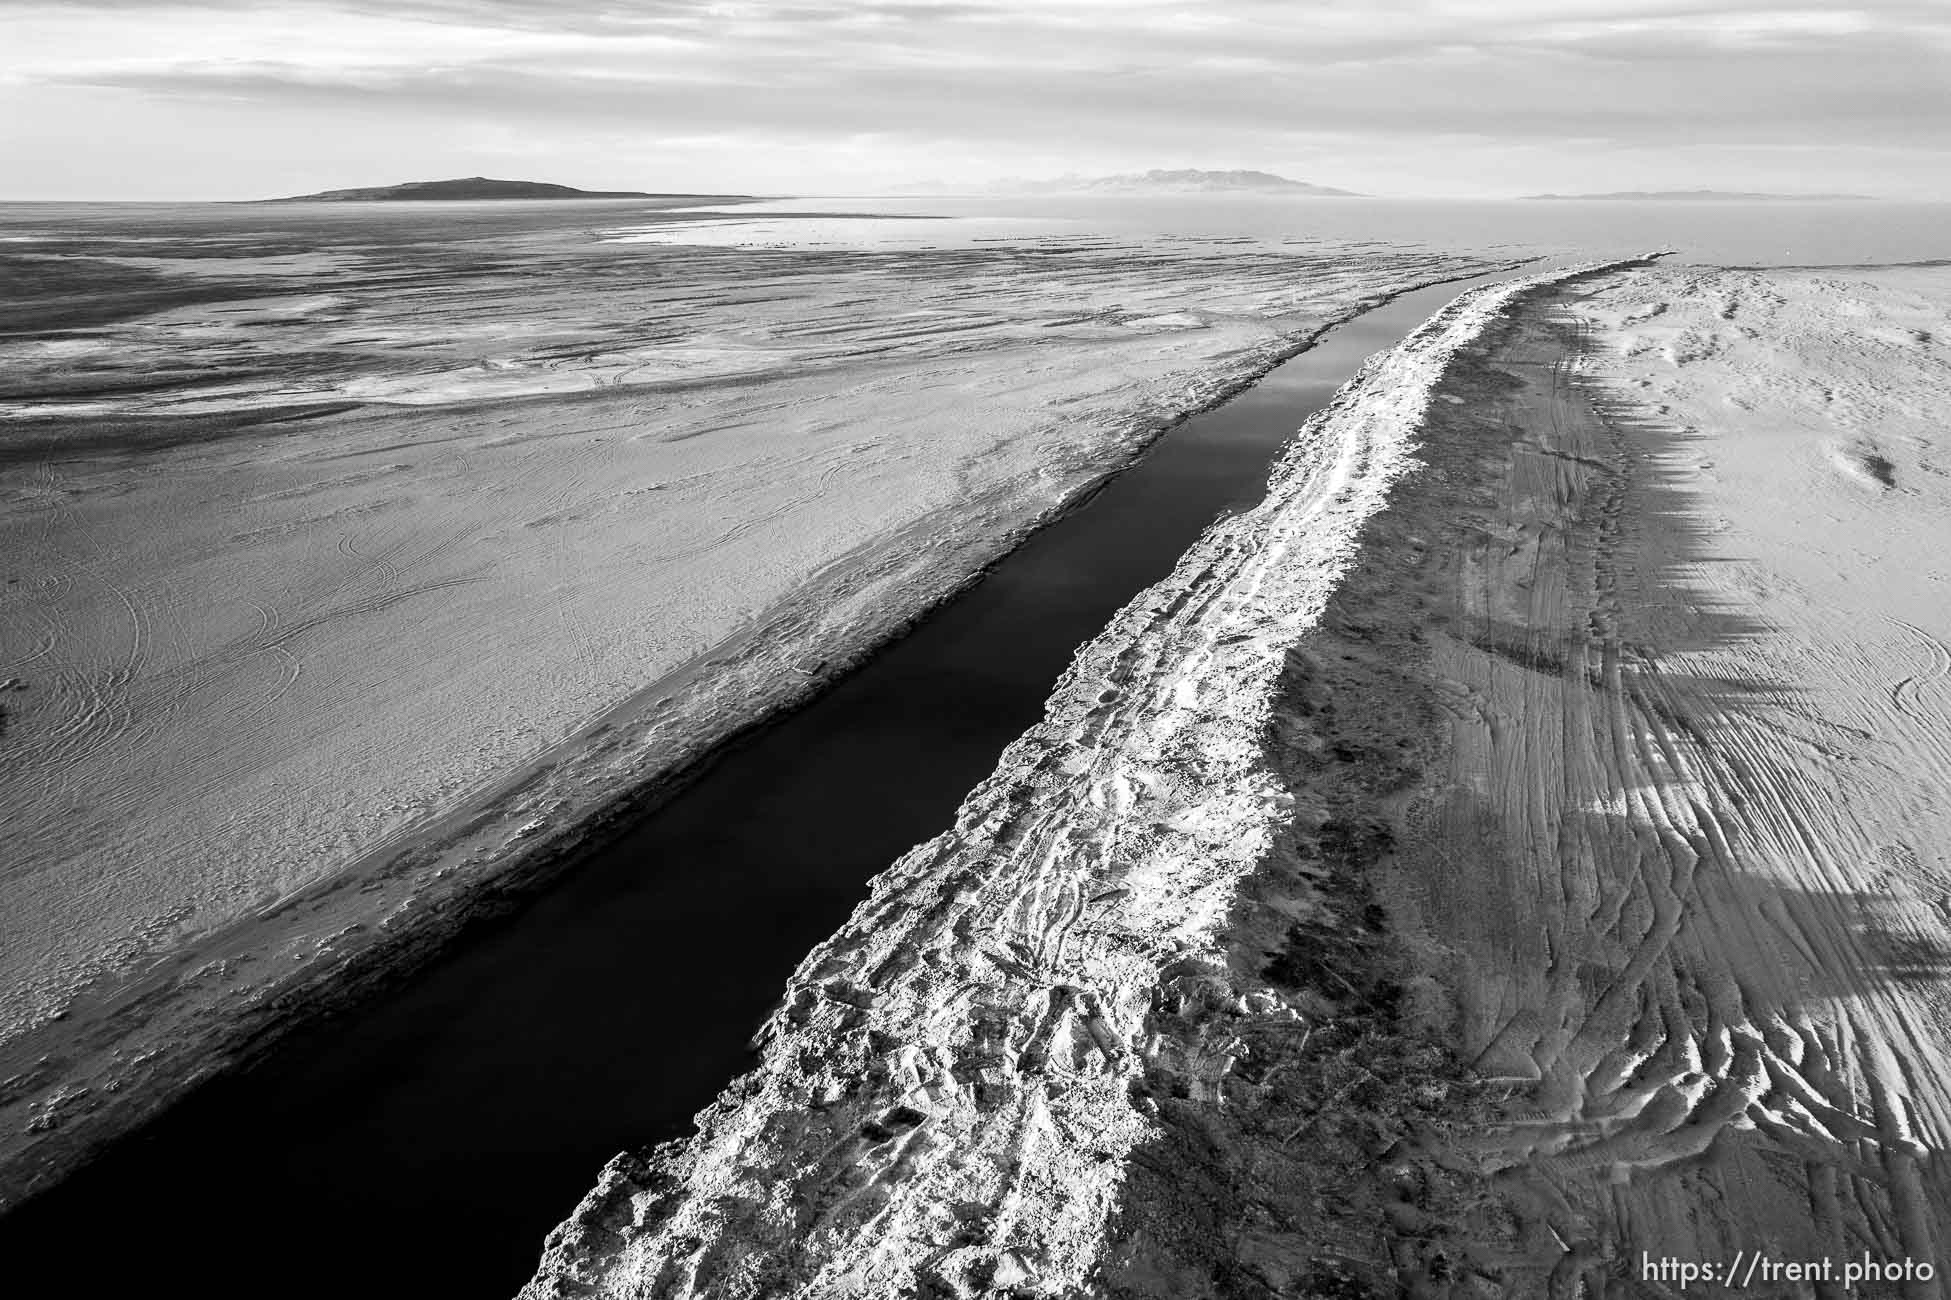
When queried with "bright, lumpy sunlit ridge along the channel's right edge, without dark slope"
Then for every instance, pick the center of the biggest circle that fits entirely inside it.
(1109, 844)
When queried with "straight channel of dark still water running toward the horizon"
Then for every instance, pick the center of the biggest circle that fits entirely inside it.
(426, 1145)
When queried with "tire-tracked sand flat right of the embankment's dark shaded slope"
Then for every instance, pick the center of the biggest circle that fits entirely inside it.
(1691, 879)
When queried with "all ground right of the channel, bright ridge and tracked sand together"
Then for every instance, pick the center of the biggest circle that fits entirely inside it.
(1507, 860)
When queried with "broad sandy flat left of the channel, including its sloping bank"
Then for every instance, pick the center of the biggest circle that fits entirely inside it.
(360, 561)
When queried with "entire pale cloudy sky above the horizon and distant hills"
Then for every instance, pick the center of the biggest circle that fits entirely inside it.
(1445, 99)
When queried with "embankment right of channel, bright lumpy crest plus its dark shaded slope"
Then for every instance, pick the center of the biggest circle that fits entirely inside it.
(1111, 1032)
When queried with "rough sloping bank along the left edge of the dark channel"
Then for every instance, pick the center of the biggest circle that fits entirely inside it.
(132, 1047)
